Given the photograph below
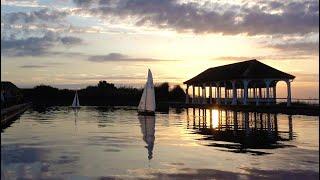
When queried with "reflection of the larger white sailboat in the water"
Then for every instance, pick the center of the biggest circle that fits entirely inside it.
(147, 124)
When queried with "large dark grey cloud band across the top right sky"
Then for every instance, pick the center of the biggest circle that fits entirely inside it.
(290, 18)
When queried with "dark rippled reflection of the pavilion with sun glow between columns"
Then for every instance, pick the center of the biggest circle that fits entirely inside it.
(239, 130)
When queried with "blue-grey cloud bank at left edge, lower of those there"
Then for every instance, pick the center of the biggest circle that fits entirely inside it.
(36, 46)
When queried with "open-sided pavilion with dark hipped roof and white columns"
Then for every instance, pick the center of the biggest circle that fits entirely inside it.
(247, 82)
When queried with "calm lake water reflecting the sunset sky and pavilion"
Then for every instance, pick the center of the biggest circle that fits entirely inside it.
(98, 143)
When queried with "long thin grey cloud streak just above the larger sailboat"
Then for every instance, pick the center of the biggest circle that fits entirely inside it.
(121, 57)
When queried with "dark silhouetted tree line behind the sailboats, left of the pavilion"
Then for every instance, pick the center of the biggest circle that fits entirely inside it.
(103, 94)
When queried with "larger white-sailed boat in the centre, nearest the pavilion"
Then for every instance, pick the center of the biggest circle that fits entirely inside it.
(147, 105)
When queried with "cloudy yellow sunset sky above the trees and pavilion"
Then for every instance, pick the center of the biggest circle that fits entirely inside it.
(72, 44)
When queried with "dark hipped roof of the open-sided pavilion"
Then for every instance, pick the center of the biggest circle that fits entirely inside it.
(251, 69)
